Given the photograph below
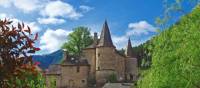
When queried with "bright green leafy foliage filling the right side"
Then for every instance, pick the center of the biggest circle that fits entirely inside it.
(175, 56)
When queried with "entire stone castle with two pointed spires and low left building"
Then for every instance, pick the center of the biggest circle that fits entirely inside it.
(99, 62)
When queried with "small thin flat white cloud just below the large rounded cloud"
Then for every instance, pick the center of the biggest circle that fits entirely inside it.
(50, 20)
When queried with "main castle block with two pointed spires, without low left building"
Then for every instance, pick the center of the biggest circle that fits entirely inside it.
(105, 60)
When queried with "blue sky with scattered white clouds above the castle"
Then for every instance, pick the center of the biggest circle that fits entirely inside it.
(55, 19)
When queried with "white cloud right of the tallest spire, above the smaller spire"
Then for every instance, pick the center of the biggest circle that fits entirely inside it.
(141, 27)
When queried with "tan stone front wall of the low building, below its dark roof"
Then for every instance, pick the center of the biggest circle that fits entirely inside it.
(74, 76)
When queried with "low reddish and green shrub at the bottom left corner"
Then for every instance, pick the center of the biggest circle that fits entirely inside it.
(27, 76)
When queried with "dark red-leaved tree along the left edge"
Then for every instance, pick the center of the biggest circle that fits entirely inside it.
(16, 47)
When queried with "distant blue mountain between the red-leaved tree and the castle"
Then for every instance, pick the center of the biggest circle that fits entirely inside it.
(48, 59)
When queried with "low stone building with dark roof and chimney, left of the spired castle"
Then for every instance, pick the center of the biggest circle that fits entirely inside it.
(72, 73)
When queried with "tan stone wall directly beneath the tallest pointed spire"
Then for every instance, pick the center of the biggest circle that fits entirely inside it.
(107, 61)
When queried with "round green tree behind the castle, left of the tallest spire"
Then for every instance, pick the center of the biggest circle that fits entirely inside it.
(79, 39)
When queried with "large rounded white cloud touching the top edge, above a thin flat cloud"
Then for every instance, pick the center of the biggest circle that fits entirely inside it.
(59, 8)
